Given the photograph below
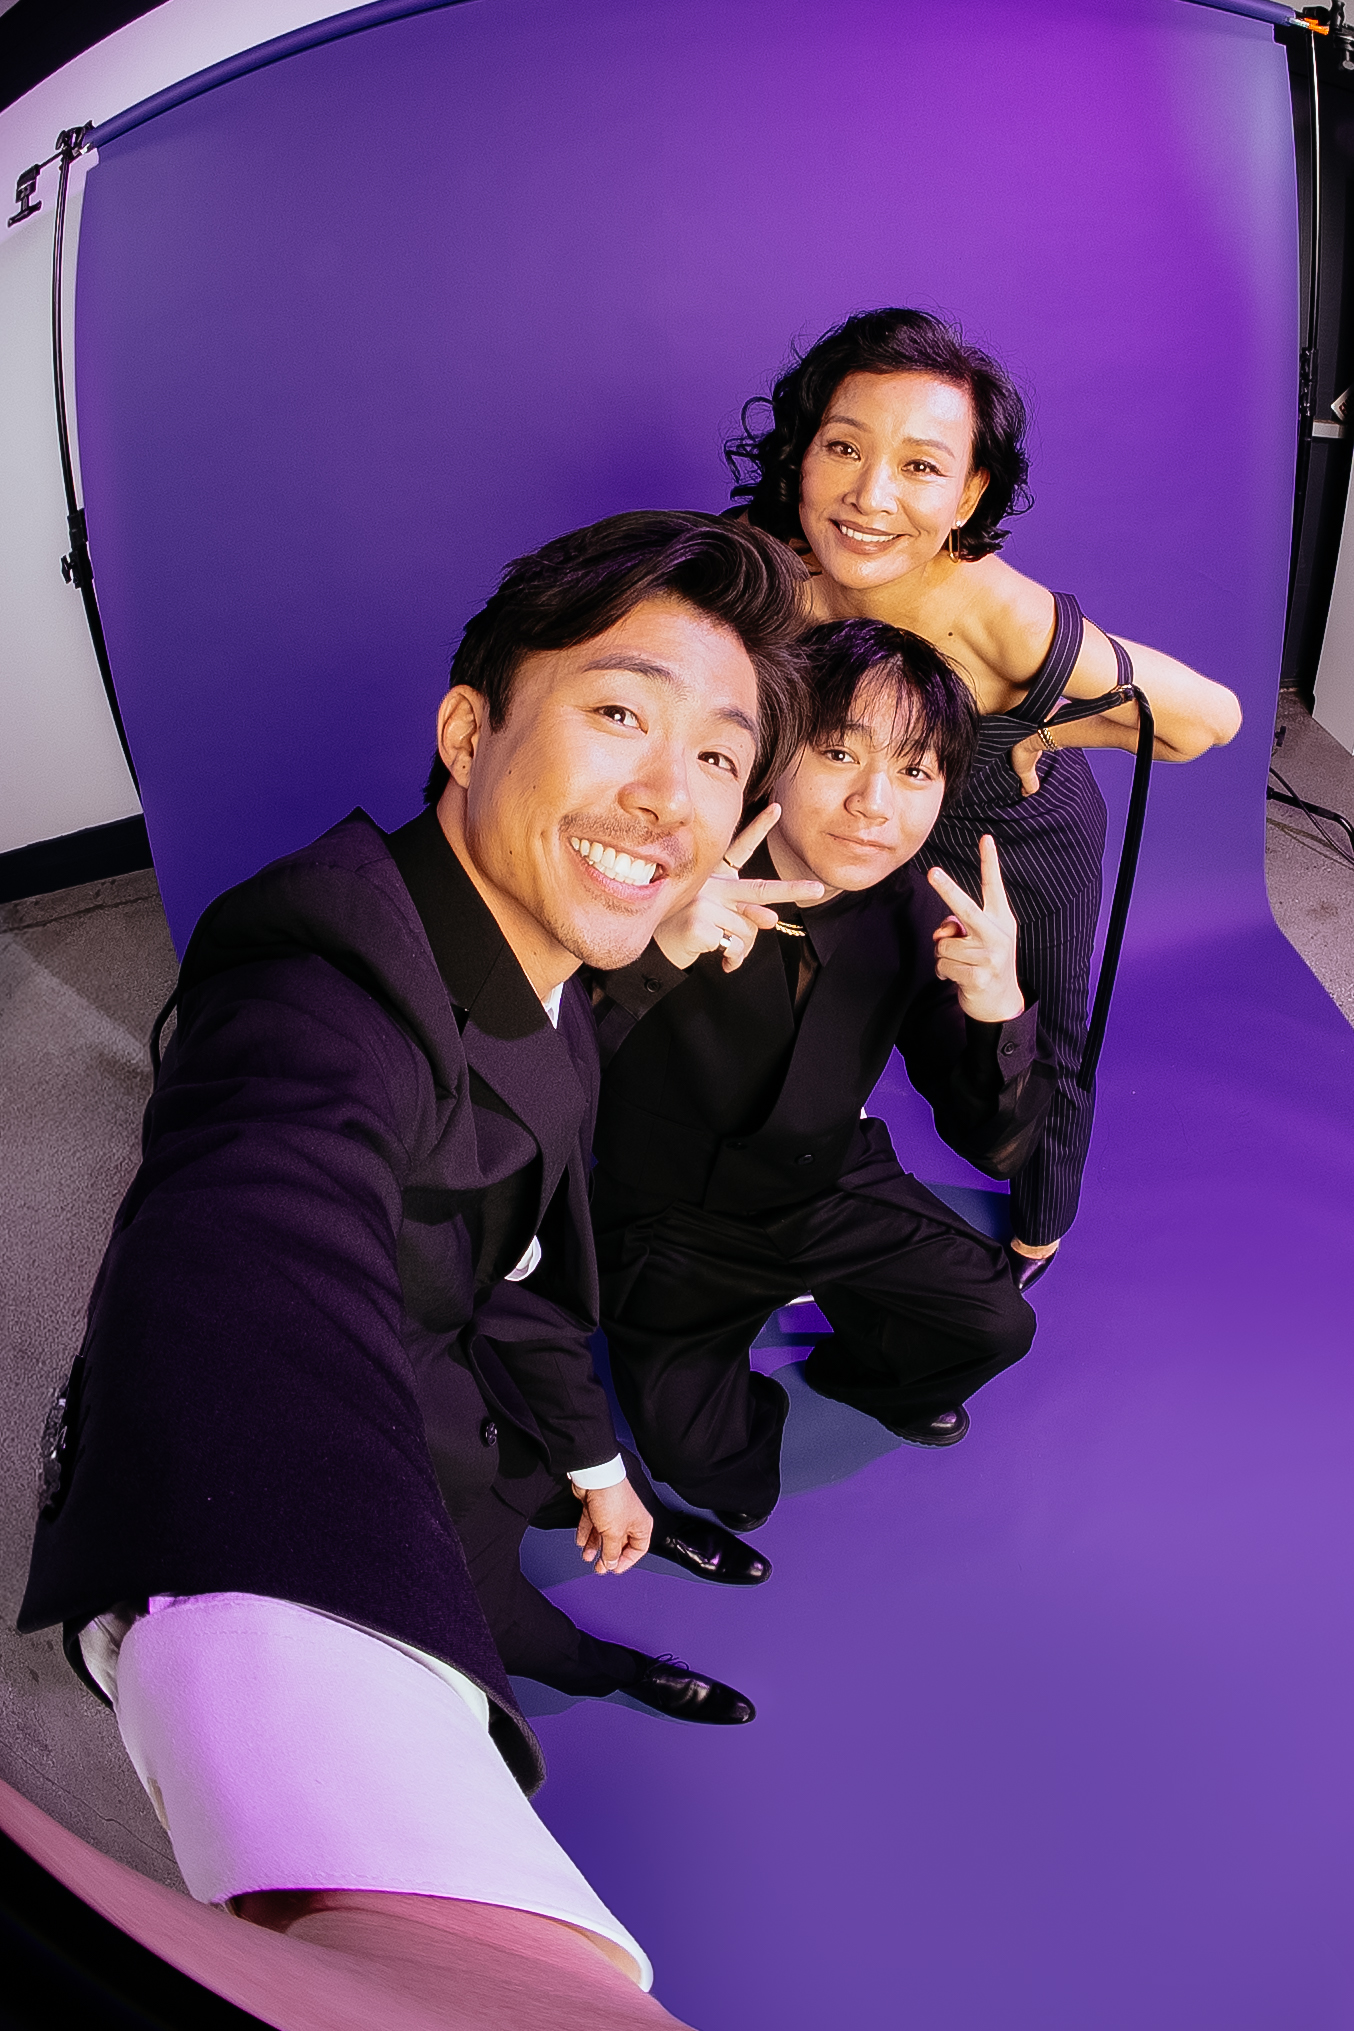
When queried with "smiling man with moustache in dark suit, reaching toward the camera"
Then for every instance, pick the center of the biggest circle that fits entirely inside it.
(306, 1354)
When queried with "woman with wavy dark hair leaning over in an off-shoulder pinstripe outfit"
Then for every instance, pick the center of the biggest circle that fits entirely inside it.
(892, 460)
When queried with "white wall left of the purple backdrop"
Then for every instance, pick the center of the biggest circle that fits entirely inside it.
(60, 761)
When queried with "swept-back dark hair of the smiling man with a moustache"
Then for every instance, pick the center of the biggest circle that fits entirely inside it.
(580, 586)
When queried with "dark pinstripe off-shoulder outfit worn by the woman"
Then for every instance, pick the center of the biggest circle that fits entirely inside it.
(1051, 850)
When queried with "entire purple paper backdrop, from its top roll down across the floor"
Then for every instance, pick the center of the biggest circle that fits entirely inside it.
(1053, 1729)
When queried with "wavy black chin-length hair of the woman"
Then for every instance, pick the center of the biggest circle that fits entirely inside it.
(884, 342)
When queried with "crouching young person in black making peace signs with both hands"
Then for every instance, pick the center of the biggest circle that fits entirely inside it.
(736, 1167)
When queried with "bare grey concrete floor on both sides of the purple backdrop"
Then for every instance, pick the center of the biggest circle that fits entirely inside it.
(82, 976)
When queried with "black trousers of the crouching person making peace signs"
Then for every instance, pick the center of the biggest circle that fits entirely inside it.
(923, 1315)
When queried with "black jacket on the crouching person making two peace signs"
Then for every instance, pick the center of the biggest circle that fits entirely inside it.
(718, 1100)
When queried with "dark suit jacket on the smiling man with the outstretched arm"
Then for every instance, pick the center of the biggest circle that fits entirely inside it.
(334, 1175)
